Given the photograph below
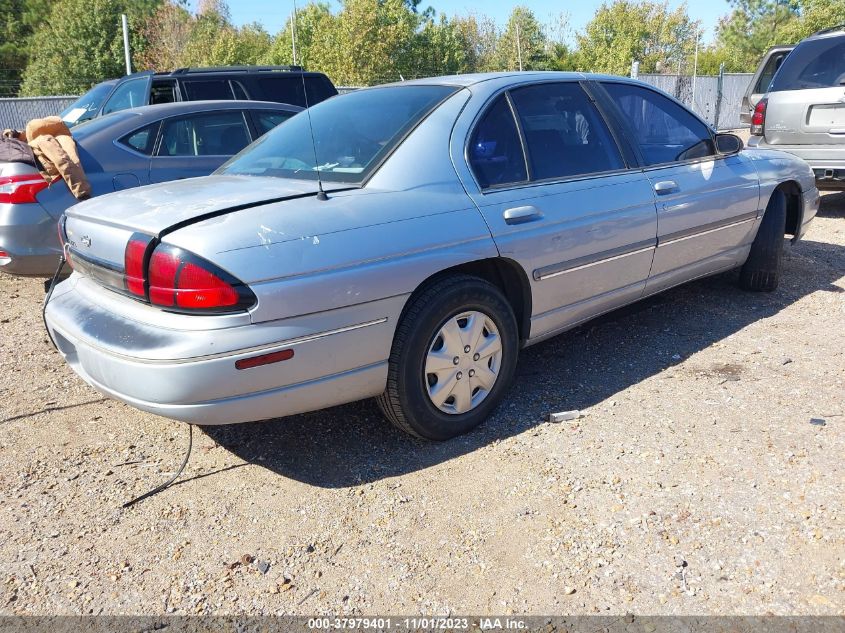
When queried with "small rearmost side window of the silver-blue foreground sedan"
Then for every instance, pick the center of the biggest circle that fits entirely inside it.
(495, 151)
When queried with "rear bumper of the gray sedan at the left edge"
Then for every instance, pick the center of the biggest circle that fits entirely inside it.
(29, 236)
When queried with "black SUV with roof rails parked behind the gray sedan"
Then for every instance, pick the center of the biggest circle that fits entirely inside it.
(282, 84)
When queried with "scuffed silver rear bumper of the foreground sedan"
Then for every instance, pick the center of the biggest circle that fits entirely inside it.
(200, 384)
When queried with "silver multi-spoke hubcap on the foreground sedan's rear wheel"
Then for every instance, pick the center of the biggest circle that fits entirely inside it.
(463, 362)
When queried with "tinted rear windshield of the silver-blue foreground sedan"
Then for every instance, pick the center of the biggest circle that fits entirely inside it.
(351, 135)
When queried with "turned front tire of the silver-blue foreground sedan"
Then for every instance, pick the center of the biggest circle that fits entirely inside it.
(761, 271)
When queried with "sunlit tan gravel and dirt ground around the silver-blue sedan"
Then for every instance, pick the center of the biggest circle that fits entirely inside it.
(705, 476)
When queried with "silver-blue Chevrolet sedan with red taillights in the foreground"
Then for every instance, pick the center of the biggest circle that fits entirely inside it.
(455, 220)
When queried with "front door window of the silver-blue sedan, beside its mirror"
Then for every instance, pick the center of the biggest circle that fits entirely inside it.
(665, 131)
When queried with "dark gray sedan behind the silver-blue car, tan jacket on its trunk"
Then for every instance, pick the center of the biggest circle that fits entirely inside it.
(120, 151)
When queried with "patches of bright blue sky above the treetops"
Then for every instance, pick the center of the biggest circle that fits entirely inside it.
(273, 13)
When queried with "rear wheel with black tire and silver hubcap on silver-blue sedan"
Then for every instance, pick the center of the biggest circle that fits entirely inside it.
(453, 357)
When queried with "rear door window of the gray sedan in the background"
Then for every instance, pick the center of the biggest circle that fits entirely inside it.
(208, 134)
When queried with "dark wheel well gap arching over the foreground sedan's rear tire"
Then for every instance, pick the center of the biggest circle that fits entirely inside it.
(507, 275)
